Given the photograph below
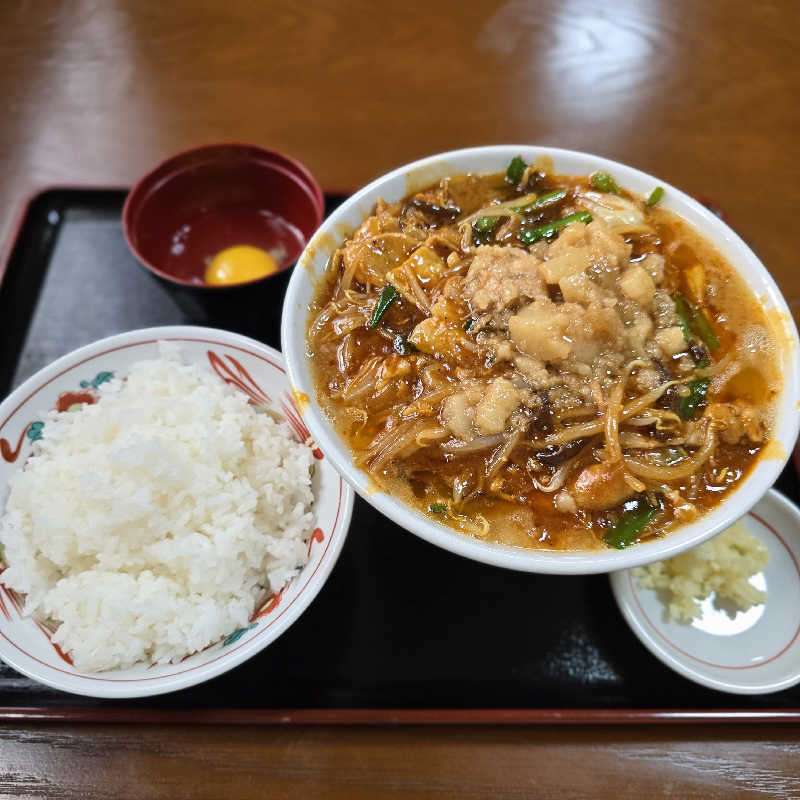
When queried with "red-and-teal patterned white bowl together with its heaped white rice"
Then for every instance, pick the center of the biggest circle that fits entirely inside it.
(164, 513)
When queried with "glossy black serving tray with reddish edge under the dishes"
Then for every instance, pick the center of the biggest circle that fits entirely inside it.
(402, 631)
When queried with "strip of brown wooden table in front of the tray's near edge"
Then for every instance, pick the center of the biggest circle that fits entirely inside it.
(97, 763)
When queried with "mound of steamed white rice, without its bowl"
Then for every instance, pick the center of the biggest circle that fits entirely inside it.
(149, 525)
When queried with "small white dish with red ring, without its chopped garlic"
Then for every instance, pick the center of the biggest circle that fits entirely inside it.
(757, 651)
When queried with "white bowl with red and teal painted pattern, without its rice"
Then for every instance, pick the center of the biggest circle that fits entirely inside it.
(252, 367)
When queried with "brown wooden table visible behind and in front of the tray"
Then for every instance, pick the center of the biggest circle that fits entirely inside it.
(703, 94)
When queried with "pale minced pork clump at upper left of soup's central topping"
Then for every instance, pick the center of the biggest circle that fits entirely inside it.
(502, 276)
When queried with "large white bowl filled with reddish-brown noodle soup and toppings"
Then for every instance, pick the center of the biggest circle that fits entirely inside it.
(542, 359)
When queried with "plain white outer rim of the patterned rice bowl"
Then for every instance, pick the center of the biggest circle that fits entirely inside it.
(102, 684)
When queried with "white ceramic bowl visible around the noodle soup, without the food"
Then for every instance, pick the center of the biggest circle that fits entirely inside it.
(396, 185)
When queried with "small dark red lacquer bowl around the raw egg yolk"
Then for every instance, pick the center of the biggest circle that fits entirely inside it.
(195, 204)
